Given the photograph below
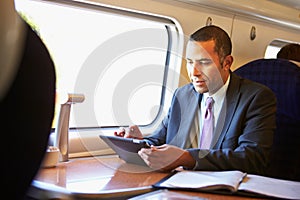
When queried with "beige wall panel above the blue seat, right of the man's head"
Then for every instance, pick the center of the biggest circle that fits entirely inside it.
(245, 50)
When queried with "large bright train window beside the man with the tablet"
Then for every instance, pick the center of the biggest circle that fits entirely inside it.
(126, 63)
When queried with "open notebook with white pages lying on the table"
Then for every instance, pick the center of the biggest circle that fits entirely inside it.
(231, 182)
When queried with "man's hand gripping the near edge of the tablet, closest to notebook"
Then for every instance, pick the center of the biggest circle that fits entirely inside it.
(166, 157)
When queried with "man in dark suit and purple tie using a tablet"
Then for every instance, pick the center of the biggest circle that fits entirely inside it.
(243, 113)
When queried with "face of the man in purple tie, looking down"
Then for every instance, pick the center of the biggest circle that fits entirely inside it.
(205, 70)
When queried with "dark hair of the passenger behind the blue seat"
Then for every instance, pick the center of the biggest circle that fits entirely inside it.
(290, 52)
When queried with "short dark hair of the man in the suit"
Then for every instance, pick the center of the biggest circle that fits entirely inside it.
(223, 45)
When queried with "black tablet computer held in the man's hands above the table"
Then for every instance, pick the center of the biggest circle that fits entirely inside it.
(126, 148)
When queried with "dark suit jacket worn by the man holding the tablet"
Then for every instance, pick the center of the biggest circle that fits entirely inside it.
(244, 133)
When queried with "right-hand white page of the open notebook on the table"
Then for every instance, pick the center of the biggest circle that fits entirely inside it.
(271, 187)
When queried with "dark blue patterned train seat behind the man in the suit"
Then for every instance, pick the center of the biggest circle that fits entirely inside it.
(283, 77)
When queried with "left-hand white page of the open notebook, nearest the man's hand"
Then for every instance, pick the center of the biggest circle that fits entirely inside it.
(205, 180)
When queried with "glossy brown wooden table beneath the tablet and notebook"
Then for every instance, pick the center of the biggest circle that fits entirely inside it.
(101, 177)
